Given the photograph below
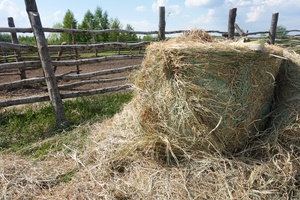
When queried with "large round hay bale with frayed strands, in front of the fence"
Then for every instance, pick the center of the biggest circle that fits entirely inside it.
(204, 96)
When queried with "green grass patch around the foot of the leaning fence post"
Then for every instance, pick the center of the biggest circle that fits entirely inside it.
(33, 131)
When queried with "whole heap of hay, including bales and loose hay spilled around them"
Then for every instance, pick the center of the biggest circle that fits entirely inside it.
(202, 115)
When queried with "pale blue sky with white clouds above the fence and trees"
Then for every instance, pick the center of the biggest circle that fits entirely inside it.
(252, 15)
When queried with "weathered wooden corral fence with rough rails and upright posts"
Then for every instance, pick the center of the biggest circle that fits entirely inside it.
(52, 57)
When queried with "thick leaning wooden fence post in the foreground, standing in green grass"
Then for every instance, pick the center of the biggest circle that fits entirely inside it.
(47, 65)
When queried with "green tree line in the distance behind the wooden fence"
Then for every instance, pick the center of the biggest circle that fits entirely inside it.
(99, 20)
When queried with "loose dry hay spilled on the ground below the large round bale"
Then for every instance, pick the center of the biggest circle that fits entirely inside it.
(112, 171)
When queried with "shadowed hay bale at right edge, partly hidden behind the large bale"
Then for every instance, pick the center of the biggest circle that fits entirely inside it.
(284, 123)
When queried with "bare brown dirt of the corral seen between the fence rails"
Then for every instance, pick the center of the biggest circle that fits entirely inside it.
(41, 89)
